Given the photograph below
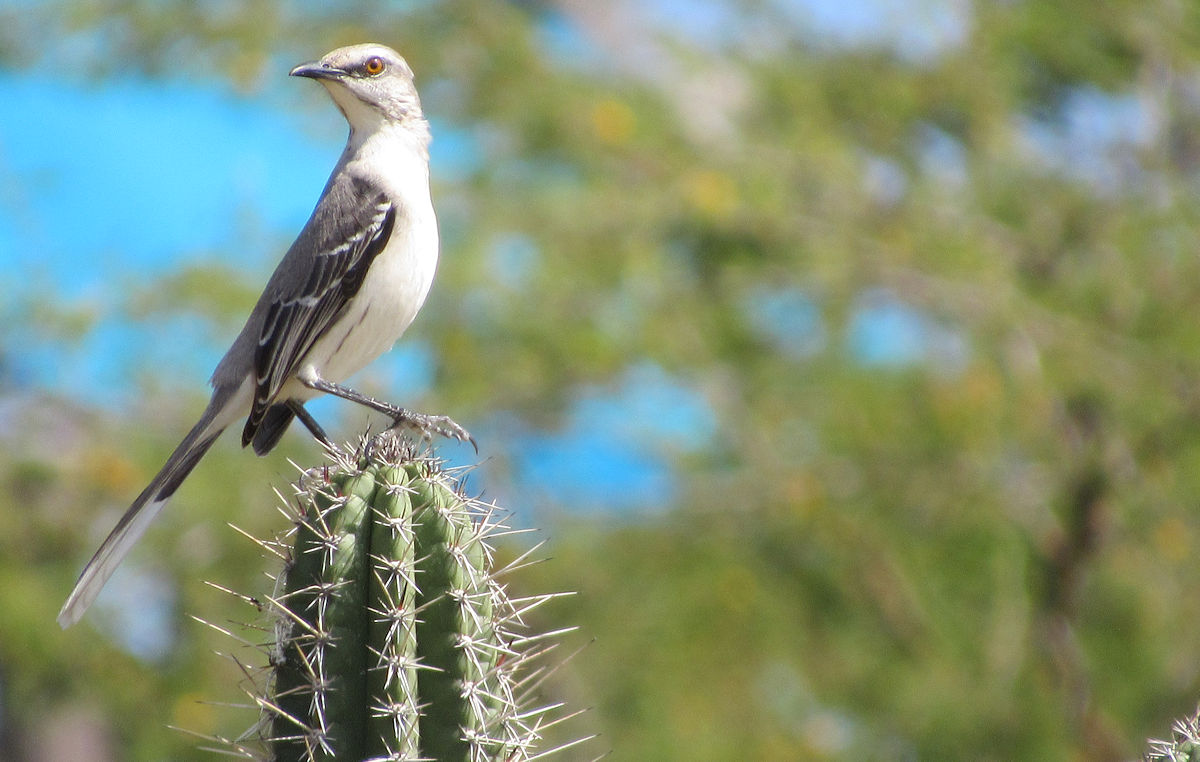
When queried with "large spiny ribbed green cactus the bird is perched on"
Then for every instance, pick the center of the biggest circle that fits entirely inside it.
(394, 638)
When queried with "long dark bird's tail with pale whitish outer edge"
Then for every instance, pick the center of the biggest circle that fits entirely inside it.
(143, 511)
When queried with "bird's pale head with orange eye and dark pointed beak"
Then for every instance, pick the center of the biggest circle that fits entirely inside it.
(371, 83)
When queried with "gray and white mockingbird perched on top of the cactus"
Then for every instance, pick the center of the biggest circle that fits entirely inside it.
(343, 296)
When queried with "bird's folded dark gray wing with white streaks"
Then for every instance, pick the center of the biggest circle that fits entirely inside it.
(326, 268)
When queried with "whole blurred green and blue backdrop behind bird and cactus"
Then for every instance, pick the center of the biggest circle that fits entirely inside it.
(847, 356)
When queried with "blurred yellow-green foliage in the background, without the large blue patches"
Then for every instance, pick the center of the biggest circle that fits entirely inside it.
(985, 554)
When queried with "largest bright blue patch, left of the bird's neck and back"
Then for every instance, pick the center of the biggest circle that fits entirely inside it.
(149, 175)
